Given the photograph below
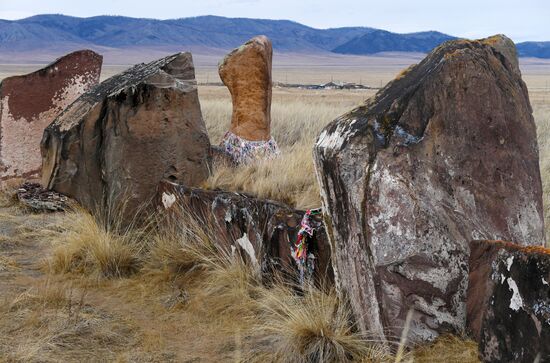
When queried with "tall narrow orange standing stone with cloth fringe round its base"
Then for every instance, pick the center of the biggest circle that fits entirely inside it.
(246, 72)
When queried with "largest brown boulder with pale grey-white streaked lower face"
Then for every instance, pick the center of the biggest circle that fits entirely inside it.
(444, 154)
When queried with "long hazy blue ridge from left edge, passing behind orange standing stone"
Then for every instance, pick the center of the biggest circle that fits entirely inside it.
(208, 31)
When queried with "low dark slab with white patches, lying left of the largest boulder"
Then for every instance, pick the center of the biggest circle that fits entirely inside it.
(262, 229)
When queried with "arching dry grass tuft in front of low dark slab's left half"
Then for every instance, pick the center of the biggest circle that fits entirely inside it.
(189, 252)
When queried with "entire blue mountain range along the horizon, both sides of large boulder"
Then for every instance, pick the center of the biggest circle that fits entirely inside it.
(55, 32)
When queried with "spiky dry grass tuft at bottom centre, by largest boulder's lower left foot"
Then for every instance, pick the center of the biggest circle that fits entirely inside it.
(312, 326)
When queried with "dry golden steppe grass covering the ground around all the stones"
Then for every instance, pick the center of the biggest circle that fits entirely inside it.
(74, 288)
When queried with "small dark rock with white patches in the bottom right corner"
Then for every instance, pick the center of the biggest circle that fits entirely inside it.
(509, 301)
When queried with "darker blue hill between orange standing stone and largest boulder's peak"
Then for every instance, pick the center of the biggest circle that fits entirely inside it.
(383, 41)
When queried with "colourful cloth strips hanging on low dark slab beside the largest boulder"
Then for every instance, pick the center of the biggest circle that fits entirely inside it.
(305, 260)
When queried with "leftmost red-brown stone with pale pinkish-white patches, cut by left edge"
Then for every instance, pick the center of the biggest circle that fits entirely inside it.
(31, 102)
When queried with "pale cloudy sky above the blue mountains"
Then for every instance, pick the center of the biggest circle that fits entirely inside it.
(519, 19)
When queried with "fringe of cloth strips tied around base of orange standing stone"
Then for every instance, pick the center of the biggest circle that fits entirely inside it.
(244, 151)
